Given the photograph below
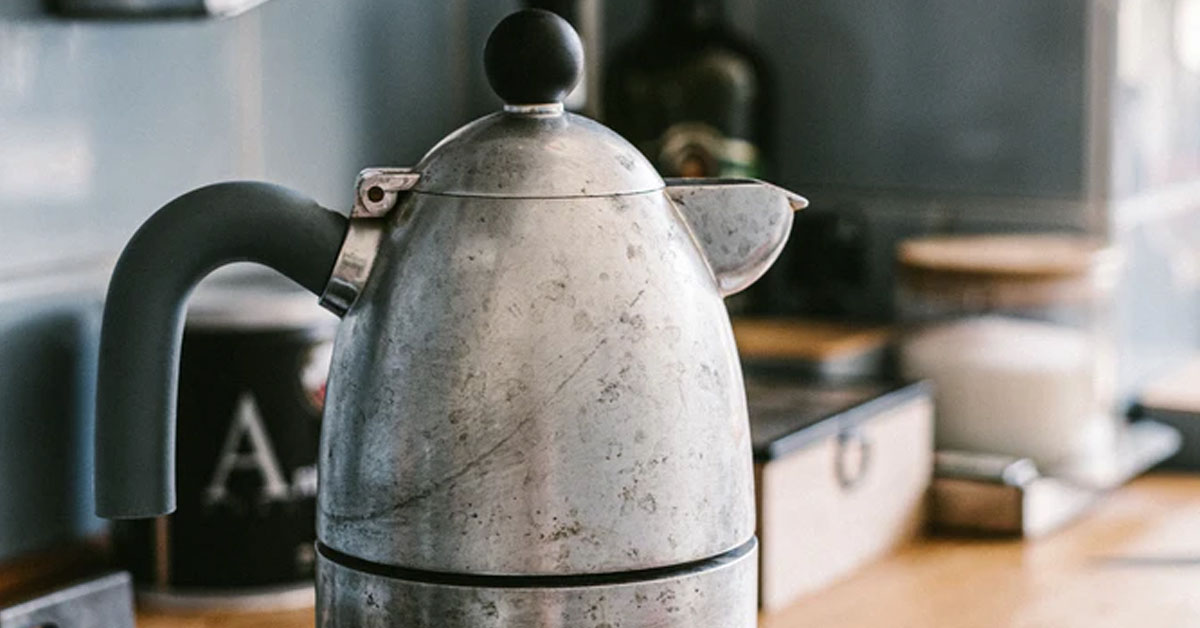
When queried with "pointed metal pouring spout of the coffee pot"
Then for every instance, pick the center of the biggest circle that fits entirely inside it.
(741, 225)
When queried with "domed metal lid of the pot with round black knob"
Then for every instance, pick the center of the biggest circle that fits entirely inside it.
(533, 149)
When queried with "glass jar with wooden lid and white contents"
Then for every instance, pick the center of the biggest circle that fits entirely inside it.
(1015, 333)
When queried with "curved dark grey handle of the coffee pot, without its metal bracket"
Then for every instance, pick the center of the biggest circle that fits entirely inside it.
(143, 325)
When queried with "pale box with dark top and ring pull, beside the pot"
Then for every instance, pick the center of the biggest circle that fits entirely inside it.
(842, 469)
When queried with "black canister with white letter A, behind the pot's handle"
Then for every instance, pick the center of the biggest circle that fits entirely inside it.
(253, 381)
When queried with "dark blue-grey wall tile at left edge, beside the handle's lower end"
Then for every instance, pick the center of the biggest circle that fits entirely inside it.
(47, 360)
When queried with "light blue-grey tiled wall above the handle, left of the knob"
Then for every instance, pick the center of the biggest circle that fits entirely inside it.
(104, 122)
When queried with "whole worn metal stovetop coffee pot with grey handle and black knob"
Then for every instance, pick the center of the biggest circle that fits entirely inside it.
(536, 414)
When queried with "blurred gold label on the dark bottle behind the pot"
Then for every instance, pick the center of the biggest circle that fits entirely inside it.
(697, 149)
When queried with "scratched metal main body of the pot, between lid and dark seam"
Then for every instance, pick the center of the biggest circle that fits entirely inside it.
(537, 387)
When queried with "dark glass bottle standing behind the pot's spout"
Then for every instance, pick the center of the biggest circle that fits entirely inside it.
(691, 94)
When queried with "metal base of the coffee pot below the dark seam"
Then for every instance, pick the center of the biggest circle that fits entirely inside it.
(724, 596)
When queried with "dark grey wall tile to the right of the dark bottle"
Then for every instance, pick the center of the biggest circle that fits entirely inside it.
(955, 97)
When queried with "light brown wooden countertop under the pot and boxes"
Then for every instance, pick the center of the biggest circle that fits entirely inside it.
(1135, 561)
